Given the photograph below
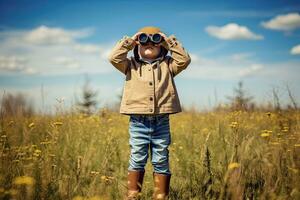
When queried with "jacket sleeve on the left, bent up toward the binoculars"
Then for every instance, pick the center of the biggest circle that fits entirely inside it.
(118, 55)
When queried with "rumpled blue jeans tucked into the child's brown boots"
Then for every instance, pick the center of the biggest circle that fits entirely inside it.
(149, 131)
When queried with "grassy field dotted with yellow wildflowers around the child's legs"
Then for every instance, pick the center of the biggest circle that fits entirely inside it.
(224, 155)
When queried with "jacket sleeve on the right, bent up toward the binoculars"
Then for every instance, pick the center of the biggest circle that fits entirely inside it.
(180, 58)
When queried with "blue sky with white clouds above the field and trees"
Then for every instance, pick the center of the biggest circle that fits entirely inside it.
(50, 45)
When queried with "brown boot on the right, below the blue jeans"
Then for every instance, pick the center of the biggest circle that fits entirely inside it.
(161, 186)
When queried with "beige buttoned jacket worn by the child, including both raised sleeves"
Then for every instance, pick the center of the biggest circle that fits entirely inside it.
(149, 87)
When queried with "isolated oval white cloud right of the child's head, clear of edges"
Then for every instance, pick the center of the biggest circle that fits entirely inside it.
(232, 31)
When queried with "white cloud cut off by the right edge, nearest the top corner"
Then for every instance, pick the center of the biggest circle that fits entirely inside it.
(286, 22)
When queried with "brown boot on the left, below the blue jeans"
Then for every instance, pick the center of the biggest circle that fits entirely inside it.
(134, 184)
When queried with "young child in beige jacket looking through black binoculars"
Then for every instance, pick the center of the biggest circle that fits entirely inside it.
(149, 97)
